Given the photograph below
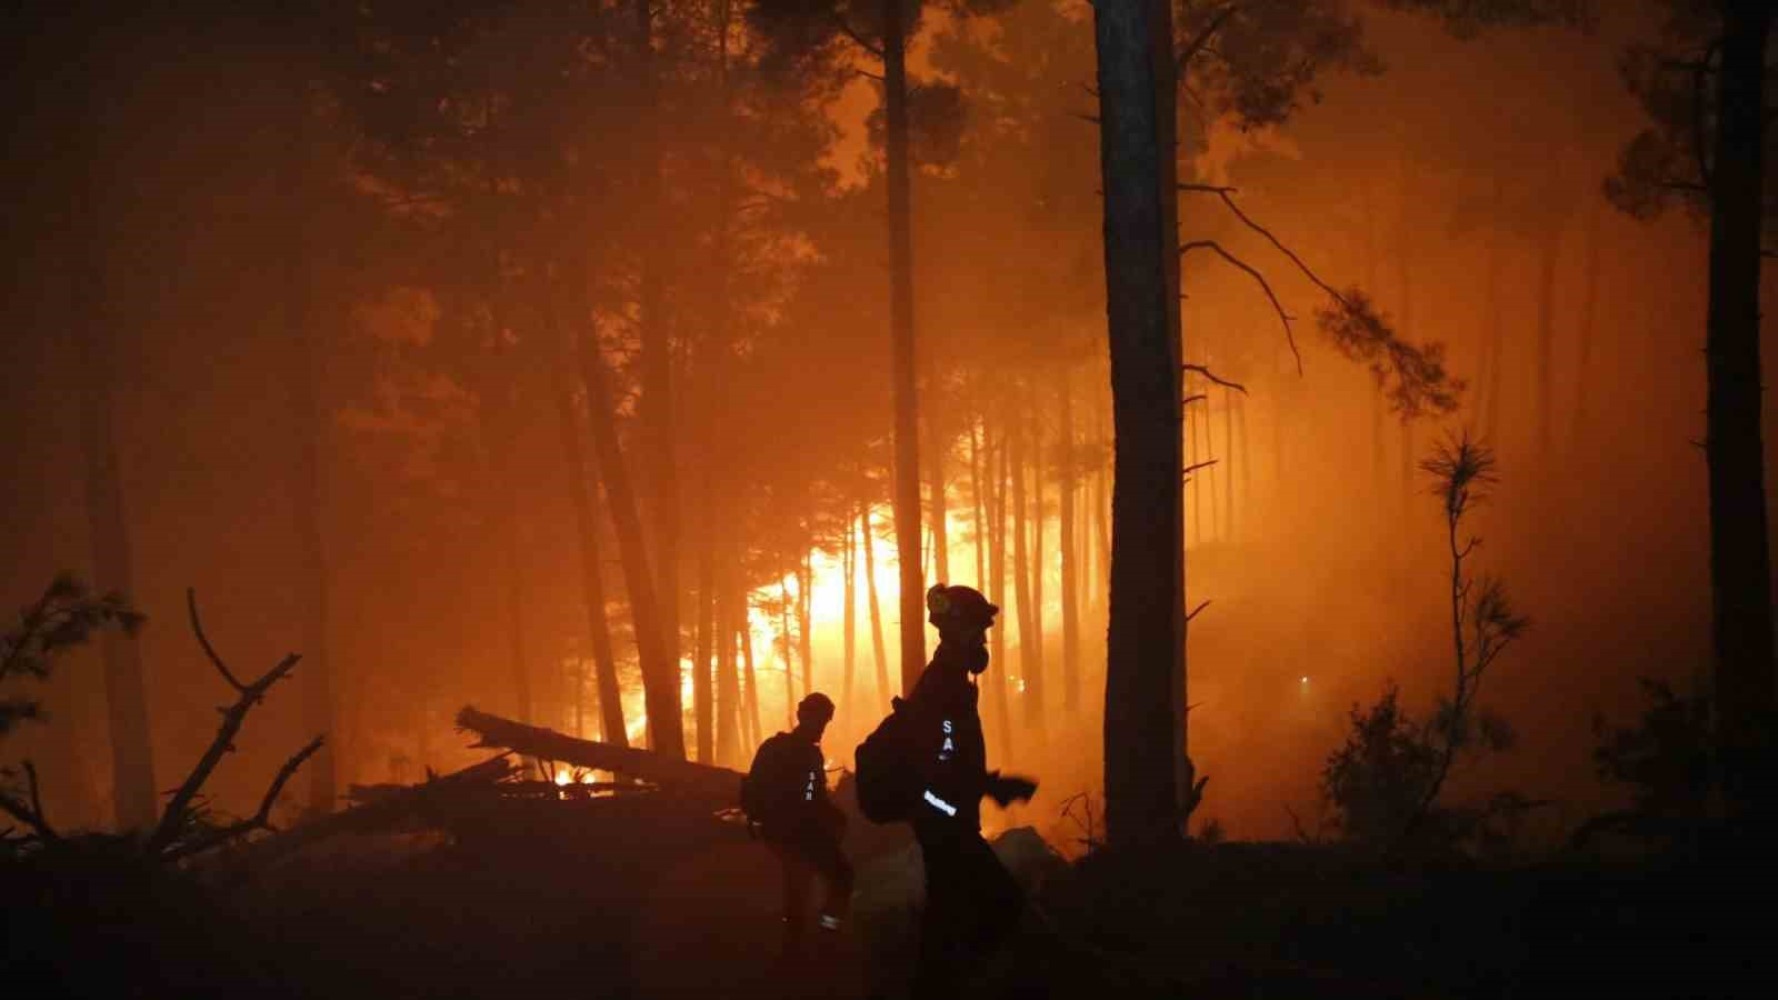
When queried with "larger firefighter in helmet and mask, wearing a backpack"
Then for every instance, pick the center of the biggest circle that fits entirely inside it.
(927, 766)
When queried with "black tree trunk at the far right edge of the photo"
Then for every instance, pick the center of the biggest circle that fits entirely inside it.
(1740, 556)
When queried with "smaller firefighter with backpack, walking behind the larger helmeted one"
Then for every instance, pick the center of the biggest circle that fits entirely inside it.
(785, 798)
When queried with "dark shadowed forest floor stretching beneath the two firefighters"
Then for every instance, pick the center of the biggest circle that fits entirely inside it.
(648, 905)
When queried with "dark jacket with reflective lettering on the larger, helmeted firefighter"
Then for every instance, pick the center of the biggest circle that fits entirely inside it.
(956, 755)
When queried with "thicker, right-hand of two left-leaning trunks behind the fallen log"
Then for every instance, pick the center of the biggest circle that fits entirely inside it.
(661, 672)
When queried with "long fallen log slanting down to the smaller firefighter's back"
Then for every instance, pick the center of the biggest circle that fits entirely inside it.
(696, 784)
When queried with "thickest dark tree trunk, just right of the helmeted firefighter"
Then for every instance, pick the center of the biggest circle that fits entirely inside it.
(1146, 636)
